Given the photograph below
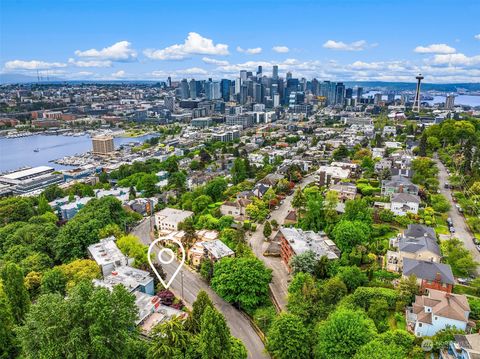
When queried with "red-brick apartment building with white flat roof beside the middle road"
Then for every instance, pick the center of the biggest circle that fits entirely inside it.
(294, 241)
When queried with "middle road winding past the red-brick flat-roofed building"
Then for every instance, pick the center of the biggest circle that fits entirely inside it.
(280, 276)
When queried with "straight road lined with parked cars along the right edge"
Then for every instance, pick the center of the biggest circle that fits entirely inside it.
(462, 231)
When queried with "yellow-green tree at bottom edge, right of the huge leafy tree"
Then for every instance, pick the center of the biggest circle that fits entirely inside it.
(169, 340)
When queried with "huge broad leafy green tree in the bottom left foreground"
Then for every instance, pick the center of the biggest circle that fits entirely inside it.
(90, 322)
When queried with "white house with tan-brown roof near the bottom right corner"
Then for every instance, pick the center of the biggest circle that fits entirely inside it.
(436, 311)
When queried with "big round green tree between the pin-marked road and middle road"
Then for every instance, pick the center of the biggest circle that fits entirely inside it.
(243, 281)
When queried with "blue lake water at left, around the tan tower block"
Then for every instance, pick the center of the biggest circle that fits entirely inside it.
(19, 152)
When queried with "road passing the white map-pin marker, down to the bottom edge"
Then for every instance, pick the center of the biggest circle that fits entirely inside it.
(187, 284)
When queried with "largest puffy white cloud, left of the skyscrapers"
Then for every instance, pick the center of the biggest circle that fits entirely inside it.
(195, 44)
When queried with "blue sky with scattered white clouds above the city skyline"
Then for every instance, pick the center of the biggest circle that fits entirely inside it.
(338, 40)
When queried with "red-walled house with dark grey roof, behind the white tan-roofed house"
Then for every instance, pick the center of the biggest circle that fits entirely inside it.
(429, 274)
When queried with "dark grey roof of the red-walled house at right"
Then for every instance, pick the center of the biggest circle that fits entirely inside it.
(428, 270)
